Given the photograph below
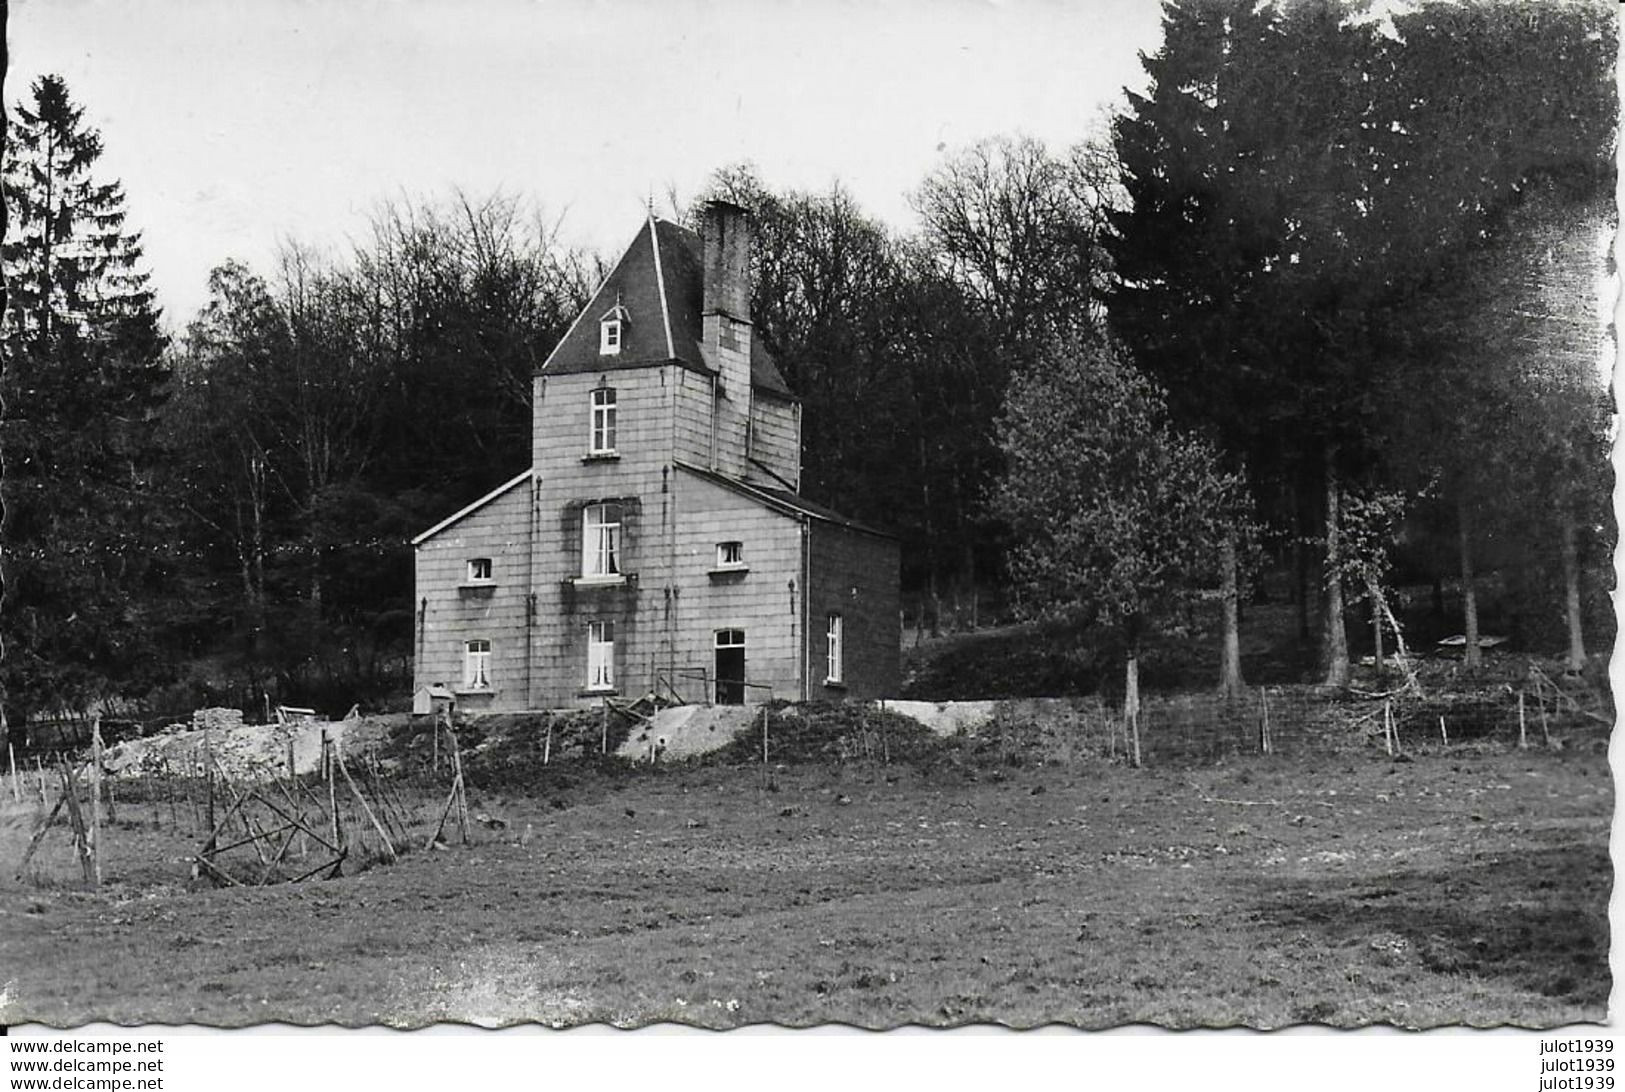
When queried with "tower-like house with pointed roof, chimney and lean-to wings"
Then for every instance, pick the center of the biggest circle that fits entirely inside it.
(657, 540)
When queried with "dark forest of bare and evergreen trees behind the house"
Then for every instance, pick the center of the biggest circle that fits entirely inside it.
(1322, 301)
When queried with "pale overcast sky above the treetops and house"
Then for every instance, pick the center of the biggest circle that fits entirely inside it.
(238, 124)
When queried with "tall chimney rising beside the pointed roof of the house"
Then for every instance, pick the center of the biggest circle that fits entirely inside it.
(726, 327)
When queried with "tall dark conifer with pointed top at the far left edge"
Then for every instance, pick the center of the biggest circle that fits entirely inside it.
(84, 378)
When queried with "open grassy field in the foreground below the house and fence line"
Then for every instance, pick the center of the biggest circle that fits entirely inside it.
(1465, 886)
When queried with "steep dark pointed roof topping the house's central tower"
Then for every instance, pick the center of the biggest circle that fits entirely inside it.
(659, 285)
